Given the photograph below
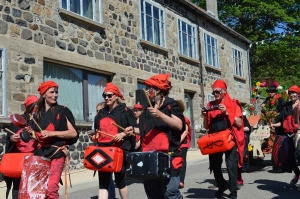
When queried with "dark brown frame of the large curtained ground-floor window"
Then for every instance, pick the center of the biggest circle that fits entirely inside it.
(85, 73)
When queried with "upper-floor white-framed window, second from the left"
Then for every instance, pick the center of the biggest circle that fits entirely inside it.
(152, 23)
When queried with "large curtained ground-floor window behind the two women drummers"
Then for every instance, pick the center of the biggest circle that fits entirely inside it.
(79, 90)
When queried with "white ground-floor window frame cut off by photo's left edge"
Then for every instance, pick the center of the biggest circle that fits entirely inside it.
(3, 79)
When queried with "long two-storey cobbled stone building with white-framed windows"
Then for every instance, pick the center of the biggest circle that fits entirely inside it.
(83, 44)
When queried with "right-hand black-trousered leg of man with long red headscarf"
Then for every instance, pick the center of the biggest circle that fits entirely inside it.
(231, 158)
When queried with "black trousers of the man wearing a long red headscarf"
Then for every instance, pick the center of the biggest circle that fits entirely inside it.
(231, 159)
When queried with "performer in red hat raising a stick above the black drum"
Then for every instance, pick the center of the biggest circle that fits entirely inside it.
(163, 127)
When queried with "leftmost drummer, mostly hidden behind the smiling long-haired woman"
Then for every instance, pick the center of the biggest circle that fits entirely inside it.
(14, 144)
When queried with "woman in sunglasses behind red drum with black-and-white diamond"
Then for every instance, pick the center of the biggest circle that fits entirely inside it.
(116, 112)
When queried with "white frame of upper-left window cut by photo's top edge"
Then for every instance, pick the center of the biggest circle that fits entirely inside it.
(81, 10)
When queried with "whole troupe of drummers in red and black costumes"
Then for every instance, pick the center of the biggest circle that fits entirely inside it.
(160, 127)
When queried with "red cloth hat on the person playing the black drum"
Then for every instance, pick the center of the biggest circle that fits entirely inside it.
(160, 81)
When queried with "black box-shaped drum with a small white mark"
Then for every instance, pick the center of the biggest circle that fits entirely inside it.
(149, 165)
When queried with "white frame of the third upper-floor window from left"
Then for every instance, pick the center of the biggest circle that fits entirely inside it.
(195, 56)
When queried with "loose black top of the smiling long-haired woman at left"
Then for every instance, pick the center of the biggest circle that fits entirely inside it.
(54, 120)
